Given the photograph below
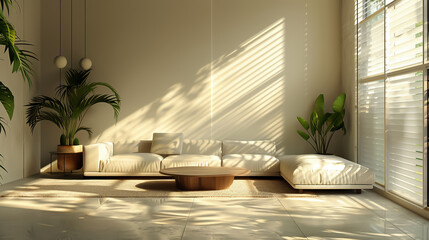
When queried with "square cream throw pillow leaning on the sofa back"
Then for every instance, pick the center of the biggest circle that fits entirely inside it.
(167, 143)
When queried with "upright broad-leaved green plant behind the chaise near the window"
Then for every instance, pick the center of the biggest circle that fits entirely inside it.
(322, 126)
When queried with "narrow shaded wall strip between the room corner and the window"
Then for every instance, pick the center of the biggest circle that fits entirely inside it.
(348, 77)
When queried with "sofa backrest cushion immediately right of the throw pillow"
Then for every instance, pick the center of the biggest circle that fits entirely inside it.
(202, 146)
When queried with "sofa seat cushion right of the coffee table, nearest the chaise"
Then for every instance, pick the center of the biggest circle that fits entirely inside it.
(252, 162)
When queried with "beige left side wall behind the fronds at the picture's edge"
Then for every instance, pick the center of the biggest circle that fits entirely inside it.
(20, 148)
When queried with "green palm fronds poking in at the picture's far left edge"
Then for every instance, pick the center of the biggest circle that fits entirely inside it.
(18, 58)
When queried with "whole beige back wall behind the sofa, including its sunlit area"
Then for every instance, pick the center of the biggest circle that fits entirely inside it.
(220, 69)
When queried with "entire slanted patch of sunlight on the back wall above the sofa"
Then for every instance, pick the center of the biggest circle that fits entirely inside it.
(238, 96)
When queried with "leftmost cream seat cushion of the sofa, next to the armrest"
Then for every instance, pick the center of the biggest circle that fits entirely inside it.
(132, 162)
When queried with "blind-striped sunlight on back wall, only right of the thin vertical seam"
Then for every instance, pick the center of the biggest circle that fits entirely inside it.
(249, 88)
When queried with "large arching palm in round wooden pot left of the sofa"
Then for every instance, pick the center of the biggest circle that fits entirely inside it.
(68, 109)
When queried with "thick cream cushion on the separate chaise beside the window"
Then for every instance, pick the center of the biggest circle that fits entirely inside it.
(315, 169)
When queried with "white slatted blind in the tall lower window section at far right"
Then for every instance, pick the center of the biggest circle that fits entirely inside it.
(404, 146)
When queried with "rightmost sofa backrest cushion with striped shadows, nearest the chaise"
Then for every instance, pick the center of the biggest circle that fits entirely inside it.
(249, 147)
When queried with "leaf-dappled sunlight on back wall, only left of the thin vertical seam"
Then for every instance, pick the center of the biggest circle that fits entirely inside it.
(182, 108)
